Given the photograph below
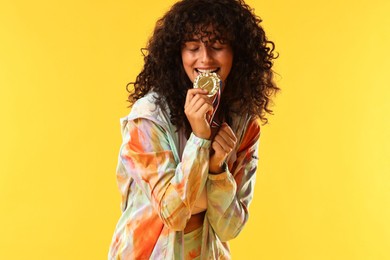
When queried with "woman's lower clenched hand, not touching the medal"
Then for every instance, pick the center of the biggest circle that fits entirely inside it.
(222, 144)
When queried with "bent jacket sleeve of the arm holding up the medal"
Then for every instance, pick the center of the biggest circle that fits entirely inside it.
(147, 157)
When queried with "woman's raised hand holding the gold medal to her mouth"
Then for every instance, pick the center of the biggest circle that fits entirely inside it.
(198, 108)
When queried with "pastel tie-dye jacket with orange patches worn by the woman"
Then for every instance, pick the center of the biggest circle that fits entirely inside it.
(160, 176)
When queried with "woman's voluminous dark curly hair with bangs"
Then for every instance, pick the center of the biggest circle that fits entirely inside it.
(249, 85)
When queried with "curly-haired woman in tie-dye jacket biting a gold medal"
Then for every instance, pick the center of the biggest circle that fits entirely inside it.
(187, 164)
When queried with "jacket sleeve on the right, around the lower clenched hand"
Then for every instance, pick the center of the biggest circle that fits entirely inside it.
(230, 193)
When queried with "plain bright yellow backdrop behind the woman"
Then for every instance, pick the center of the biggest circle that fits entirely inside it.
(323, 188)
